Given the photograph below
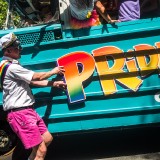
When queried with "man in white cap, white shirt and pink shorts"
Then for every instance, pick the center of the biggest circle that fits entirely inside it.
(18, 100)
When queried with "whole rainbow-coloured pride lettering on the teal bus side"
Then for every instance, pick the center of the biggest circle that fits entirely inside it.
(79, 66)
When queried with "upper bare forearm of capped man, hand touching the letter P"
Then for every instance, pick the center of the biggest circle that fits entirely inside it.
(44, 75)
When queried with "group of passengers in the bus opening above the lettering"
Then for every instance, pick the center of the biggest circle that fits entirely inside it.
(86, 13)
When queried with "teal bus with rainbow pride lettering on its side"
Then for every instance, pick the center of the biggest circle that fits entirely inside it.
(111, 72)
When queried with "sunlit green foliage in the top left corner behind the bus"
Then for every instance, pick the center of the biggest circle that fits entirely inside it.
(3, 14)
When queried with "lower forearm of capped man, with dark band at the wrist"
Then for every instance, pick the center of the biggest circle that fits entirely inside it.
(47, 83)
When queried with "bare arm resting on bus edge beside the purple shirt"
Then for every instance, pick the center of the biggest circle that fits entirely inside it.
(102, 11)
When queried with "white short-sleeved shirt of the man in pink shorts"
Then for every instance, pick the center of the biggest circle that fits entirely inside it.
(16, 90)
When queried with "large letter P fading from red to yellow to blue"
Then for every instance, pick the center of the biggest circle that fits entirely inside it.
(74, 76)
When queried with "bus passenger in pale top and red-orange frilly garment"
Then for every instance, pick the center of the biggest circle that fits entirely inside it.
(83, 14)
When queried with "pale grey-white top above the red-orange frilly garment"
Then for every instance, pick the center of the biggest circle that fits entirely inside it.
(79, 8)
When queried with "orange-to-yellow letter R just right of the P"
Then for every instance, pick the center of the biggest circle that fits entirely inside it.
(108, 75)
